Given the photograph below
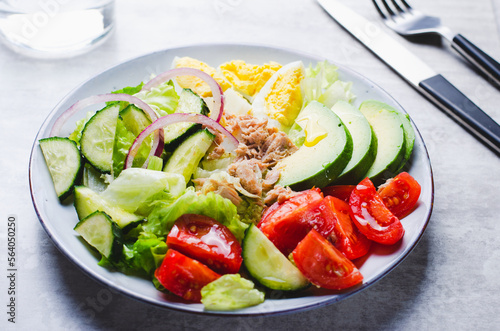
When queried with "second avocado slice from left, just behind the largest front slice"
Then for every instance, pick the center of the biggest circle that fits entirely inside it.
(363, 140)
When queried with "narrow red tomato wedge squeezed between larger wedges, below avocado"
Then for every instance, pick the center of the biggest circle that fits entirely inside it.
(346, 236)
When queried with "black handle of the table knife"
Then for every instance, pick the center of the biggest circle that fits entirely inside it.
(457, 105)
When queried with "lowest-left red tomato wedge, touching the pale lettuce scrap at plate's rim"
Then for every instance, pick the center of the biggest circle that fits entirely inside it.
(184, 276)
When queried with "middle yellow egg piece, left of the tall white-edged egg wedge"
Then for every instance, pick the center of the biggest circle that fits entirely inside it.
(248, 79)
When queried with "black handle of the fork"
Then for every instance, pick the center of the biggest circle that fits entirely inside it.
(482, 61)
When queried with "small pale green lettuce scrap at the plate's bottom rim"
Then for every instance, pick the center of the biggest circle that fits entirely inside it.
(230, 292)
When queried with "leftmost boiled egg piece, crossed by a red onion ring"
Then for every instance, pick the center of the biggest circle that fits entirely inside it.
(194, 83)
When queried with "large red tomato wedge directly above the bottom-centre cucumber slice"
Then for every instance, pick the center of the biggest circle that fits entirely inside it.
(288, 223)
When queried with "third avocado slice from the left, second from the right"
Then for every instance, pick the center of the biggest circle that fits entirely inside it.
(388, 128)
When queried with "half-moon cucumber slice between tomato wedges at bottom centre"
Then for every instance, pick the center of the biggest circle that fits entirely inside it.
(268, 265)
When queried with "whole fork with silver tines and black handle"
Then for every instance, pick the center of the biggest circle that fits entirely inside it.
(407, 21)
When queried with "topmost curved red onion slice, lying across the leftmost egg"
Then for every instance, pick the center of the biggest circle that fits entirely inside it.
(217, 94)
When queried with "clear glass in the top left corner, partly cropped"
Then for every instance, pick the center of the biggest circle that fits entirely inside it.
(55, 28)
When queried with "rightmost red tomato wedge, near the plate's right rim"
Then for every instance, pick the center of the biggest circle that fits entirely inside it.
(400, 194)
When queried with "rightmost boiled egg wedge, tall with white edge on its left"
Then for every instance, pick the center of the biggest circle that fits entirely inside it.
(280, 99)
